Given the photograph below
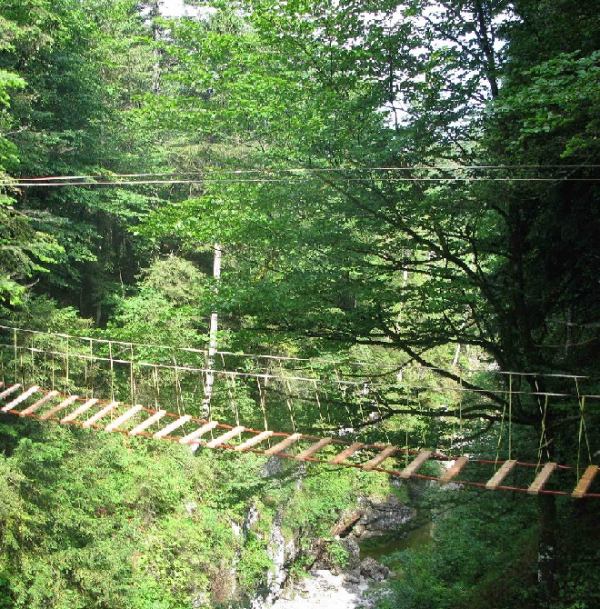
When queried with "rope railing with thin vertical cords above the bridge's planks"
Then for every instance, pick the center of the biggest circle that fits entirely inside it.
(361, 400)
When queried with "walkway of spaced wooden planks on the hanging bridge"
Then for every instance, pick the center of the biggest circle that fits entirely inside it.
(136, 420)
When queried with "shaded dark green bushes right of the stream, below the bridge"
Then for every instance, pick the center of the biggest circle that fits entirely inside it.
(469, 562)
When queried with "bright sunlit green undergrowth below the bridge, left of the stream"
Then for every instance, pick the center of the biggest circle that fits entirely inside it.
(89, 520)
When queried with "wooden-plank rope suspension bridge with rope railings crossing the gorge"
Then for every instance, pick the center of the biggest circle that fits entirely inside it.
(264, 404)
